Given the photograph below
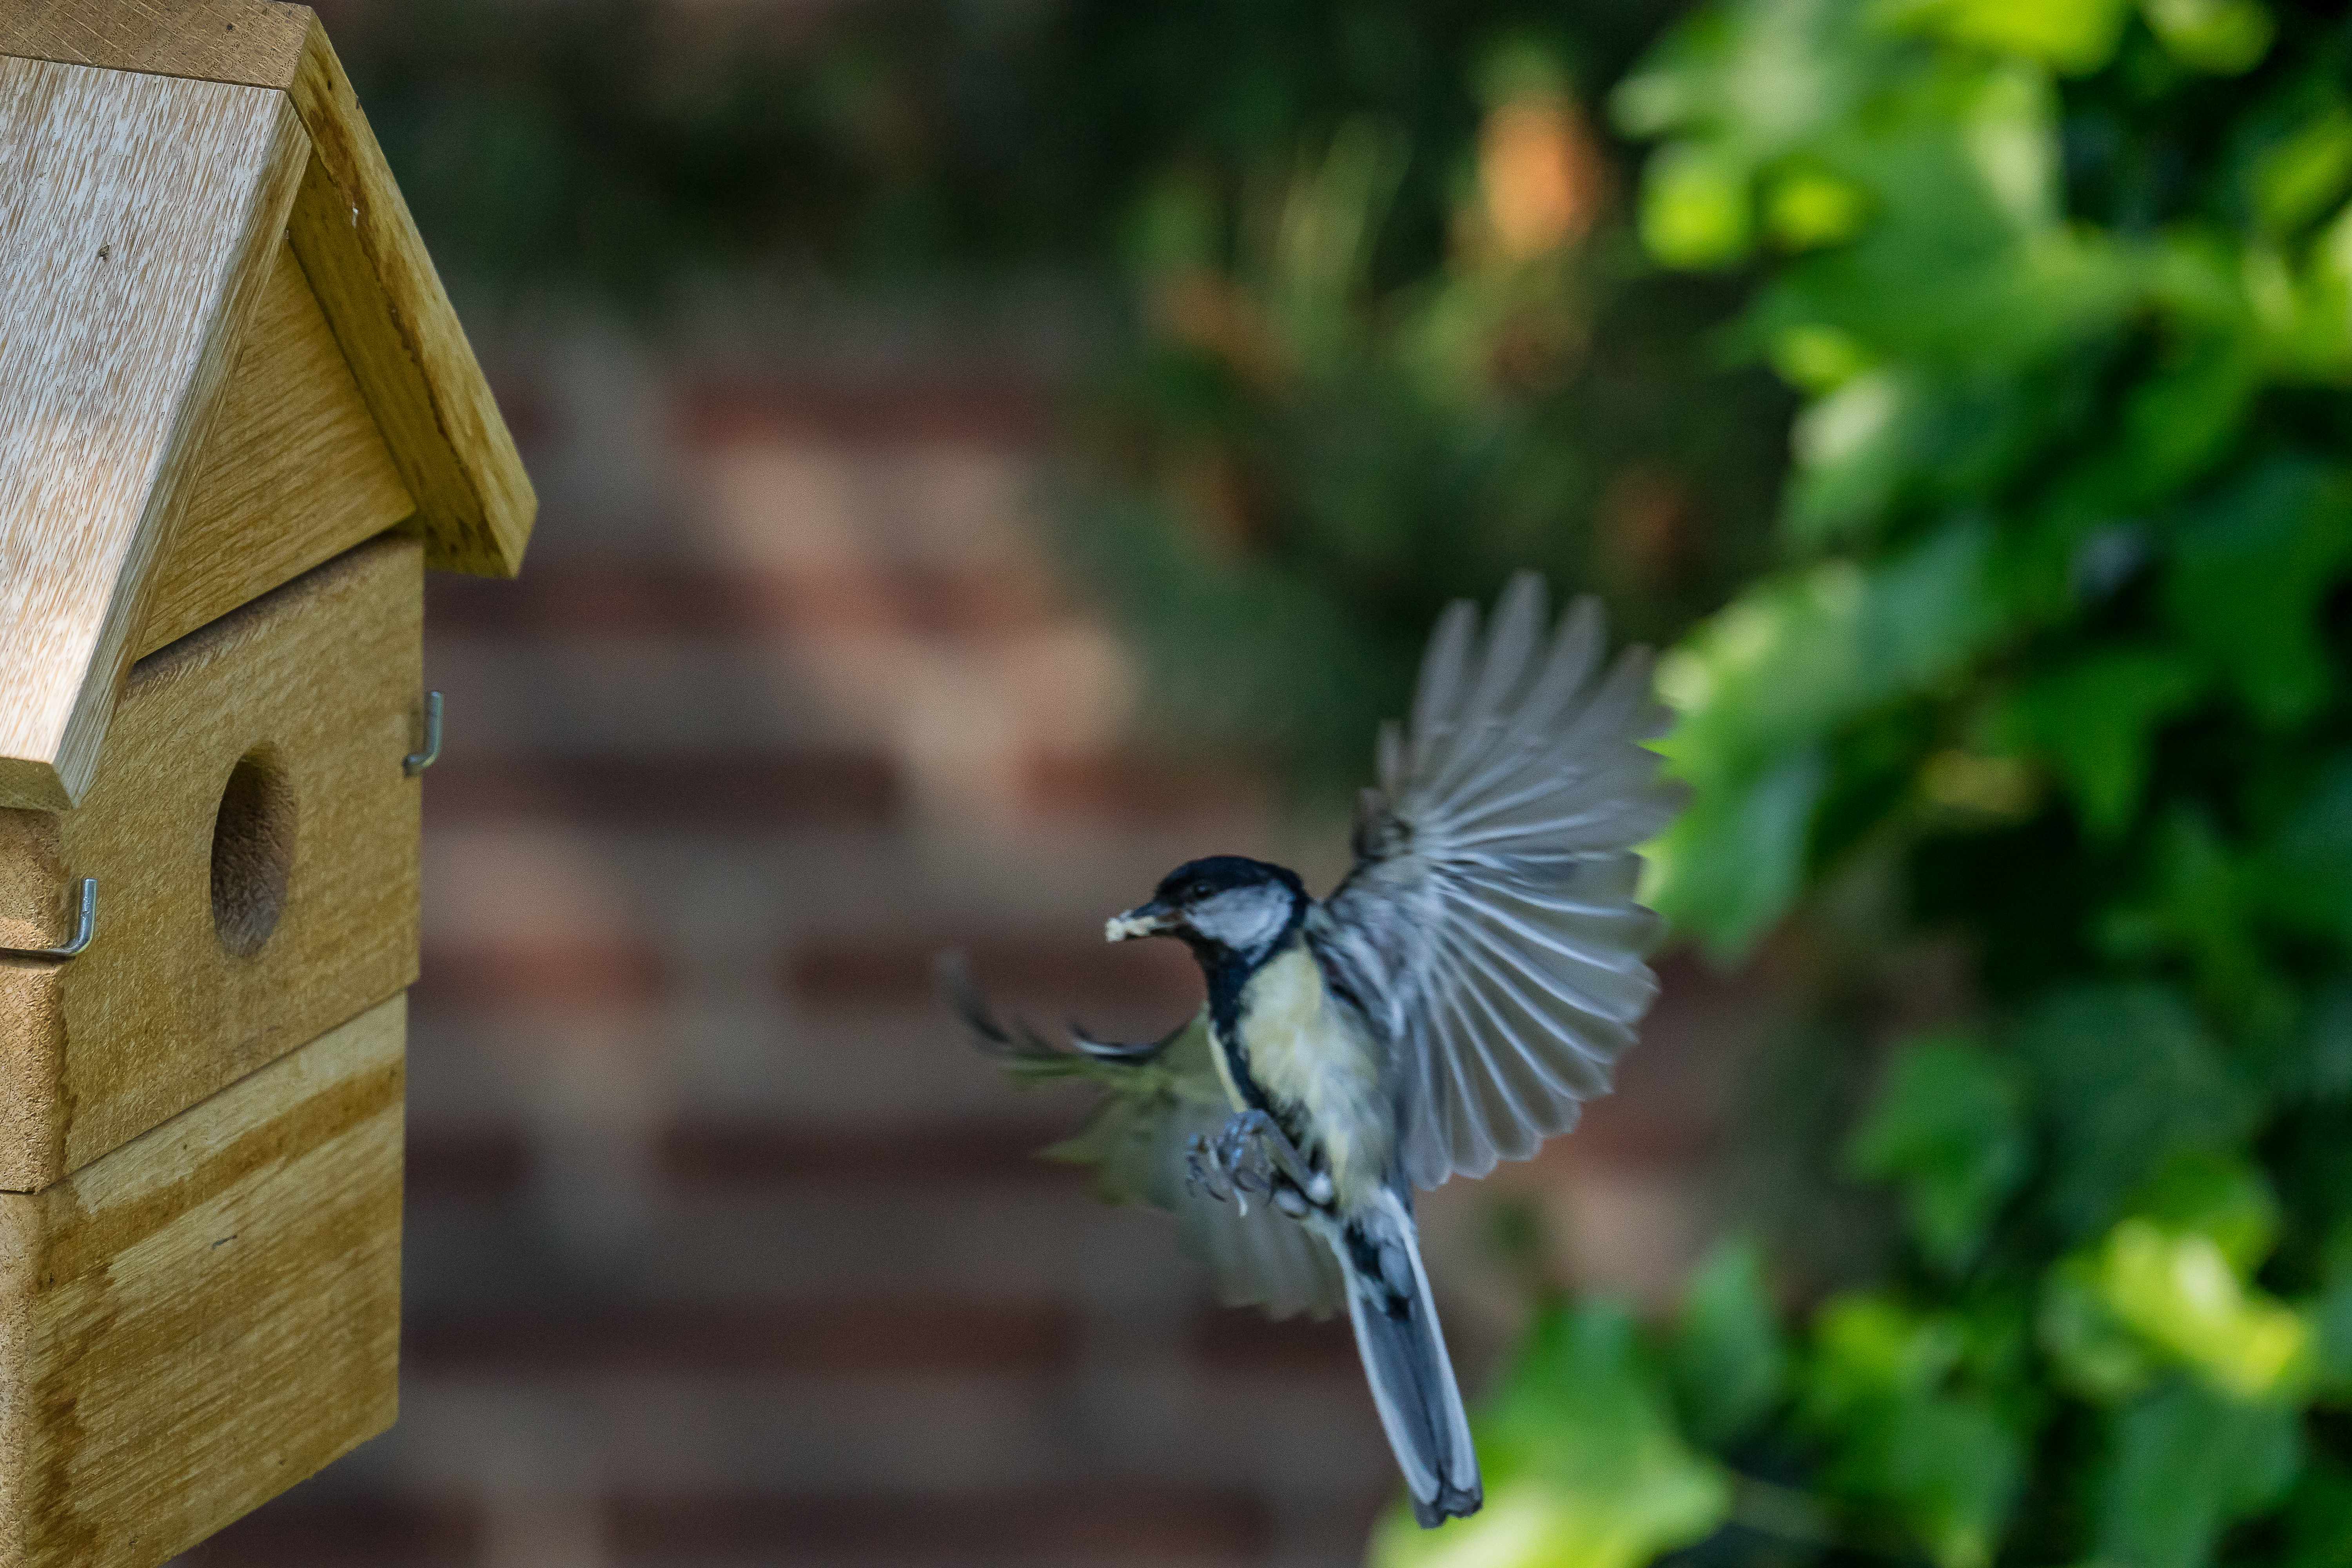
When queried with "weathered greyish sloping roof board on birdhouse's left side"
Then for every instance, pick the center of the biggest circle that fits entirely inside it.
(142, 215)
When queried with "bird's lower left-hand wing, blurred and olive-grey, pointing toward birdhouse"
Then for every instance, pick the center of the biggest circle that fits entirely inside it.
(1156, 1099)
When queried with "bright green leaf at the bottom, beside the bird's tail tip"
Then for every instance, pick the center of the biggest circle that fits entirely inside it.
(1584, 1463)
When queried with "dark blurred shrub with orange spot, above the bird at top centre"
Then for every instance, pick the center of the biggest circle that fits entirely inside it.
(1389, 361)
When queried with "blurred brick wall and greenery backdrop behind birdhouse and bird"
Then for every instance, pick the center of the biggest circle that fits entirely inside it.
(998, 450)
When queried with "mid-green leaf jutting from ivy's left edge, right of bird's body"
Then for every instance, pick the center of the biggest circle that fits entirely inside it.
(1949, 1125)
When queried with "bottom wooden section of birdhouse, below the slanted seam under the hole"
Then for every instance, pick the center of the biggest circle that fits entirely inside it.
(208, 1315)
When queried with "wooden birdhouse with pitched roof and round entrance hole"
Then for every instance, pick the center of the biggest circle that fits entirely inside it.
(239, 422)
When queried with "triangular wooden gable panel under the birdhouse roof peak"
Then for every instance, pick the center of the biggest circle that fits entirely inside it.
(293, 474)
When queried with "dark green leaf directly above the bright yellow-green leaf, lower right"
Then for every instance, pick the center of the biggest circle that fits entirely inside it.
(2127, 1078)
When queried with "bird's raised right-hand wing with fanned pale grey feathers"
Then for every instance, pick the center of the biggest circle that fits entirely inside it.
(1490, 925)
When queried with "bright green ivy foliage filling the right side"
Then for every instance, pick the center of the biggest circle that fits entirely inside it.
(2062, 650)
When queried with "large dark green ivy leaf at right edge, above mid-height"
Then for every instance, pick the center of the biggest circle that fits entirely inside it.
(2247, 582)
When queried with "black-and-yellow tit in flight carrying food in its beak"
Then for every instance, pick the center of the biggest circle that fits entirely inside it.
(1448, 1007)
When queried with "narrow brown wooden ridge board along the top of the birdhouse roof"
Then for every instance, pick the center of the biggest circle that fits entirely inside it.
(255, 43)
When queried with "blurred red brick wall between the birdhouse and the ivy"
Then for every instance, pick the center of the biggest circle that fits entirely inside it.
(723, 1247)
